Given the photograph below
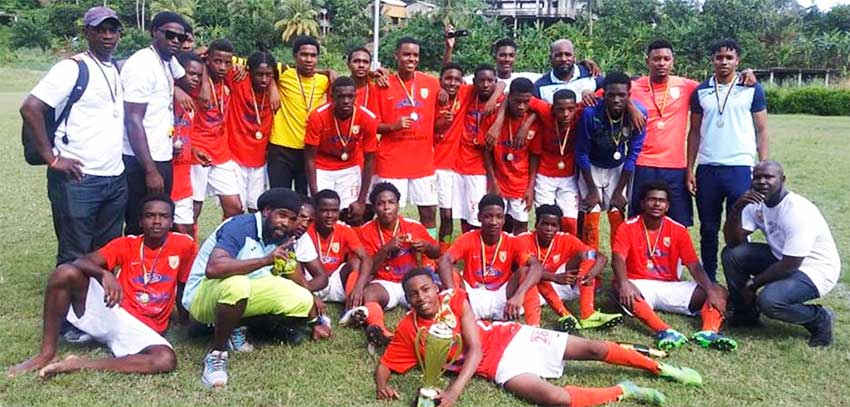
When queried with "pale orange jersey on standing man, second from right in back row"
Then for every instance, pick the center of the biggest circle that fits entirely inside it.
(664, 146)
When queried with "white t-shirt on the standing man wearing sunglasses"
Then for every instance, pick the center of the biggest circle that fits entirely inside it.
(150, 80)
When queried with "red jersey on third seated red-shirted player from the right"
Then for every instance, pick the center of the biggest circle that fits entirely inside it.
(498, 260)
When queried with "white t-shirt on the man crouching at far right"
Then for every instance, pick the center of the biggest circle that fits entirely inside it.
(796, 228)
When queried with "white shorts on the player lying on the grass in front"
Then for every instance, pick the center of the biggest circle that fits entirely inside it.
(534, 351)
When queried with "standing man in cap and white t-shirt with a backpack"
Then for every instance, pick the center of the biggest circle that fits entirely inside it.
(85, 177)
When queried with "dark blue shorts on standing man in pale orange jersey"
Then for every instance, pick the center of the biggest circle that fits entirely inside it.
(681, 208)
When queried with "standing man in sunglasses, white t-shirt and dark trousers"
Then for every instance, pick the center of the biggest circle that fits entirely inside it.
(148, 78)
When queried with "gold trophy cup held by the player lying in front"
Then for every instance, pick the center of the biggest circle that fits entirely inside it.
(437, 342)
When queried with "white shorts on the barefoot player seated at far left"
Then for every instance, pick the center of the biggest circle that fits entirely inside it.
(114, 327)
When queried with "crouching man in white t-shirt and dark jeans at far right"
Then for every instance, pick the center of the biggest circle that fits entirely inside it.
(799, 262)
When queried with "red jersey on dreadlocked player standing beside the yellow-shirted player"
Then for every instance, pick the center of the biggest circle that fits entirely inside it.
(242, 124)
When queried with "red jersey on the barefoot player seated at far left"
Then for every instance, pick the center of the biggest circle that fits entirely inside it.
(153, 301)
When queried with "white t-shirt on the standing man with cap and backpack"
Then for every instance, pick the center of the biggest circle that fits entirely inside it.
(95, 123)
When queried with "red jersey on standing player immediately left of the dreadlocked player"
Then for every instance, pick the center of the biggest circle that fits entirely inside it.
(208, 133)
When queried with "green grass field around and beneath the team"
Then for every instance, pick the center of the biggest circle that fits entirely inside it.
(773, 367)
